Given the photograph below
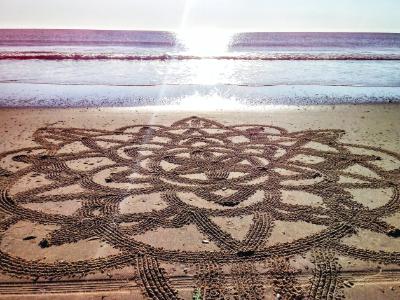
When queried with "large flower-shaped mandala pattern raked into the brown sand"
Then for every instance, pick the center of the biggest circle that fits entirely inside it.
(141, 190)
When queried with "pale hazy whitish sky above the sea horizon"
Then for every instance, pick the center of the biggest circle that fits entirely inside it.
(234, 15)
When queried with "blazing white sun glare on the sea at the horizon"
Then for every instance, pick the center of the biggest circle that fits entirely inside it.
(205, 42)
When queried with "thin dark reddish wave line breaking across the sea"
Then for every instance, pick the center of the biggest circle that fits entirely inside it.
(32, 55)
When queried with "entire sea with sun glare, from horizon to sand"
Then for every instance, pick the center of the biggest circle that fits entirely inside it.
(196, 69)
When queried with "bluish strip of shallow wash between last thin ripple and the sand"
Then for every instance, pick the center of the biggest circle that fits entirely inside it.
(193, 95)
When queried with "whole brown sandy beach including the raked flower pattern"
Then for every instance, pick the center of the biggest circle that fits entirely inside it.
(102, 211)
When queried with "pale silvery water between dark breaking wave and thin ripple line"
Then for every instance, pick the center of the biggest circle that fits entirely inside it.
(203, 71)
